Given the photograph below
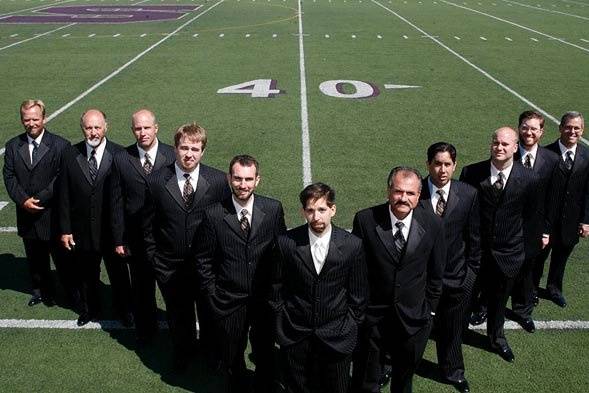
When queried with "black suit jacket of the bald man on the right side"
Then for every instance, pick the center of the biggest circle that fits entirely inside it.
(504, 216)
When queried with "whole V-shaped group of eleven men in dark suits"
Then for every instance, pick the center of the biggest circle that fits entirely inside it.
(414, 266)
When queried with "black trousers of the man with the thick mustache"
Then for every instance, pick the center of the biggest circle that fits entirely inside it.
(388, 337)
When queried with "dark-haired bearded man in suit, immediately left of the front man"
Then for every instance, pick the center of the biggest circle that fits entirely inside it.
(233, 257)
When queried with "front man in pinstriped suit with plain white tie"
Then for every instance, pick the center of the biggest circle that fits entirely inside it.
(319, 297)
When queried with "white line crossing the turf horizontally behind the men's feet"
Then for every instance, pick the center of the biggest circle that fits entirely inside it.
(70, 324)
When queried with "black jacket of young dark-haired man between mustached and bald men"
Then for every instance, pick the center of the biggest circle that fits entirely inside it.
(462, 228)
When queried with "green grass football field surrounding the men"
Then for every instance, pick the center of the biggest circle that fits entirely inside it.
(477, 65)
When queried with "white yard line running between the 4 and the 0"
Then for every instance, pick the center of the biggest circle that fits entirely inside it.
(307, 178)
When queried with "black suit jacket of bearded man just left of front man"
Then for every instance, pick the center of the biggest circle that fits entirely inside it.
(232, 268)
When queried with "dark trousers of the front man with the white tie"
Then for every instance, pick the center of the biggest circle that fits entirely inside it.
(312, 367)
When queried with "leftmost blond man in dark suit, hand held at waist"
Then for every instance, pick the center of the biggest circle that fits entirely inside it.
(31, 165)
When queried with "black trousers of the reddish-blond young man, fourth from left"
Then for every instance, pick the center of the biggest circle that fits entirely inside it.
(180, 312)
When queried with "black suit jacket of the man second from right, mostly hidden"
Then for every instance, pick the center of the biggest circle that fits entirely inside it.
(545, 163)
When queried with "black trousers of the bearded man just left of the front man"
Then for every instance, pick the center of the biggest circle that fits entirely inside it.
(232, 336)
